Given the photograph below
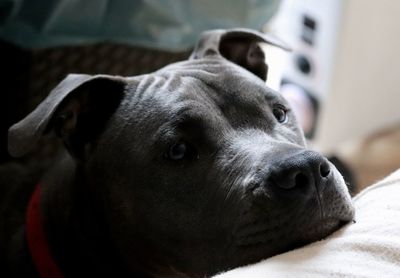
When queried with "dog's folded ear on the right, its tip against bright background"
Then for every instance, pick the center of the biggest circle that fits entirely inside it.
(239, 46)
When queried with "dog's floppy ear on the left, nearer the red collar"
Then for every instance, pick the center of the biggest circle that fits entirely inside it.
(76, 109)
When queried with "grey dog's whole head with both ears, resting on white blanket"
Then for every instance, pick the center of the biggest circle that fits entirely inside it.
(202, 166)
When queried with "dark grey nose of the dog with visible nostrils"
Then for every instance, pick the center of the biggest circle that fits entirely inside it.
(302, 170)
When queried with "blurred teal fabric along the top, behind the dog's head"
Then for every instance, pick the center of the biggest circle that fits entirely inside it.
(162, 24)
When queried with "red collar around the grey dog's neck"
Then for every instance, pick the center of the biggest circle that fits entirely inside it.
(37, 242)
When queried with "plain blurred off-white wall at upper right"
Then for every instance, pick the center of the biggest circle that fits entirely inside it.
(364, 93)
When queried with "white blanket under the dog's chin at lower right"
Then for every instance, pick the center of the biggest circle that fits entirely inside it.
(368, 248)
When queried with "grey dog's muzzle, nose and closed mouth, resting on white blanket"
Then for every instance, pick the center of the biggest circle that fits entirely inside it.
(298, 199)
